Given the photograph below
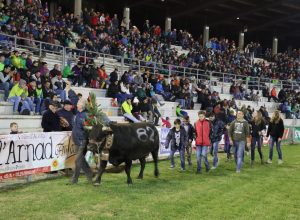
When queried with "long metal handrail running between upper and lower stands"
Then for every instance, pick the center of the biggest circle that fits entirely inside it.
(180, 70)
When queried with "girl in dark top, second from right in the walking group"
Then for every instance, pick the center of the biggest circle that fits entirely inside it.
(257, 126)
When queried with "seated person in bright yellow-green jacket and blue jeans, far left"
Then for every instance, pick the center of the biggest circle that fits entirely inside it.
(19, 93)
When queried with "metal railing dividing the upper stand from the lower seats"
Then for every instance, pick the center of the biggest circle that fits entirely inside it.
(63, 55)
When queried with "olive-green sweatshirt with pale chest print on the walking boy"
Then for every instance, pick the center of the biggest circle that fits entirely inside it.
(239, 130)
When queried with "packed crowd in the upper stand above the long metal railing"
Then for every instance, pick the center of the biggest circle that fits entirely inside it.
(98, 31)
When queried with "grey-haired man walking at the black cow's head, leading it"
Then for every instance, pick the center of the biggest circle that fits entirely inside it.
(79, 136)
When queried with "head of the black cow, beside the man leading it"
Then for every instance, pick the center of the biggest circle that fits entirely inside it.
(97, 137)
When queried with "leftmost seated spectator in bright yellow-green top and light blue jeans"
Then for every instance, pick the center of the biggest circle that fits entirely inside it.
(16, 92)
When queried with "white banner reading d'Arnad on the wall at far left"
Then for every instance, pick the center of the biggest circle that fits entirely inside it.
(32, 153)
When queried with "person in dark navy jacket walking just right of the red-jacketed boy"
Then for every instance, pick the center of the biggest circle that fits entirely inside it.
(217, 131)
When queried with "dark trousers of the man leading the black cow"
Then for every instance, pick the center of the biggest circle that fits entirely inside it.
(80, 163)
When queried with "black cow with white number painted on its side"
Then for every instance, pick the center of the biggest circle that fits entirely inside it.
(130, 142)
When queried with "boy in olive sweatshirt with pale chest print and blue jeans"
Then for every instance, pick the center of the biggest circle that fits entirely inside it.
(238, 133)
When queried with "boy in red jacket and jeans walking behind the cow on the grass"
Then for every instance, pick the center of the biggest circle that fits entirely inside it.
(202, 130)
